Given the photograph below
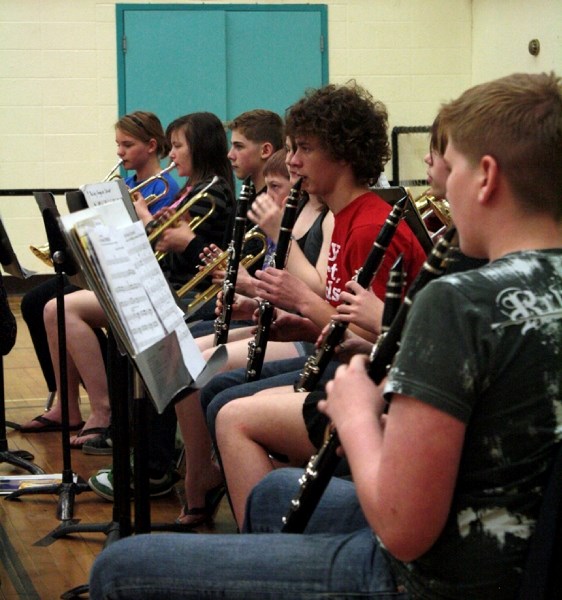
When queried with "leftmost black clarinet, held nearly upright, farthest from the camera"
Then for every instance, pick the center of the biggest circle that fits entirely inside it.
(222, 322)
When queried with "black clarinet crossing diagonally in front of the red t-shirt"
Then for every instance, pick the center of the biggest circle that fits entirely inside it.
(316, 363)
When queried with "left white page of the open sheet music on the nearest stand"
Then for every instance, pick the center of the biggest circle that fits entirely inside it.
(127, 289)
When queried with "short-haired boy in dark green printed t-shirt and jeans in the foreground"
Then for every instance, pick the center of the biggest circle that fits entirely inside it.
(445, 496)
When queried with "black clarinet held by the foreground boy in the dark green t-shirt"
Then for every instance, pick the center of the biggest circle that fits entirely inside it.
(321, 466)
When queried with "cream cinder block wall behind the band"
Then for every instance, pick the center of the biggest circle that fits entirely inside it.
(58, 87)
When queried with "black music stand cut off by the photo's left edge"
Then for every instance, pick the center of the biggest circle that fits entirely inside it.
(17, 458)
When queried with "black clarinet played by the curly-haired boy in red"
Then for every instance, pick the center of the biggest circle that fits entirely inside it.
(257, 346)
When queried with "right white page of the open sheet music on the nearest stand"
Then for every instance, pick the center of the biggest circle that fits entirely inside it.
(158, 290)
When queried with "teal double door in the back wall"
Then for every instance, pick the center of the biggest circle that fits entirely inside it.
(226, 59)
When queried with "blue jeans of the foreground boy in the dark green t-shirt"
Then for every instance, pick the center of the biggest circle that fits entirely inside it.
(337, 557)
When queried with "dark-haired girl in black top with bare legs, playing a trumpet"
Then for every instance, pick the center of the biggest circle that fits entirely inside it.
(82, 309)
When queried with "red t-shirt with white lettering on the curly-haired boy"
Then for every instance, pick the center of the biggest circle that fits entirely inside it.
(355, 229)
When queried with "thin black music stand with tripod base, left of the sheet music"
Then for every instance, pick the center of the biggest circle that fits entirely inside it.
(64, 265)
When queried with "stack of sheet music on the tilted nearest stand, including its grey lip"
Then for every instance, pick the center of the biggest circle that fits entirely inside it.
(124, 273)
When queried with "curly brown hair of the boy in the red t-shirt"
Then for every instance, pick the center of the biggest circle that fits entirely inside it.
(349, 124)
